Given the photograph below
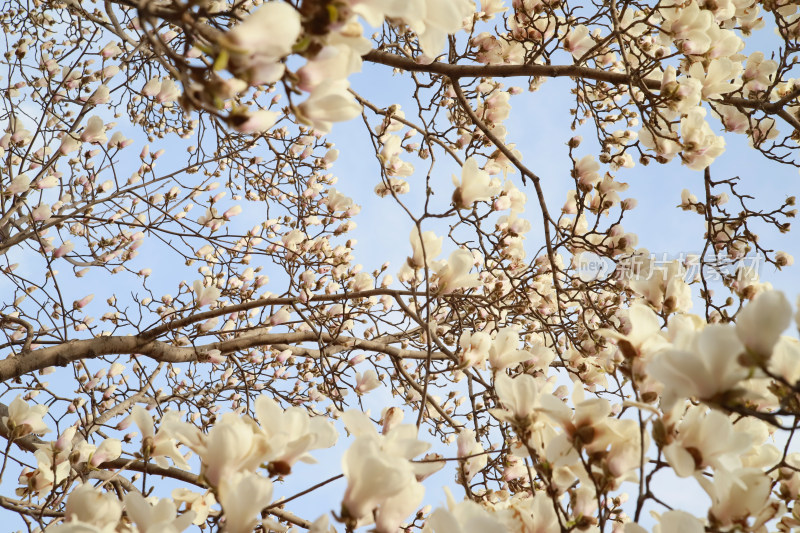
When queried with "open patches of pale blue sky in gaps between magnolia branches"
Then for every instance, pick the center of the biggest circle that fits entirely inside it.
(539, 125)
